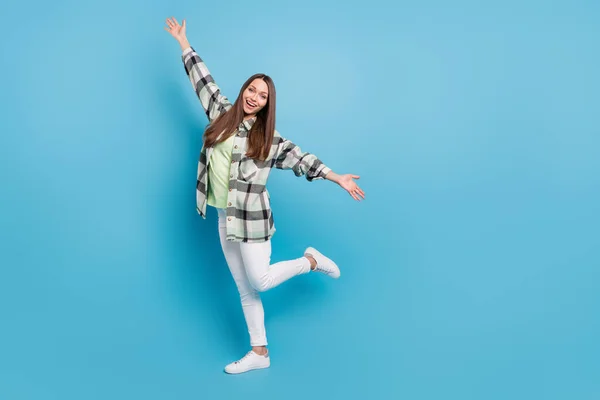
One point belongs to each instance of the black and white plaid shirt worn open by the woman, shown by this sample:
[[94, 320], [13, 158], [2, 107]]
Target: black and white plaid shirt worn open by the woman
[[249, 215]]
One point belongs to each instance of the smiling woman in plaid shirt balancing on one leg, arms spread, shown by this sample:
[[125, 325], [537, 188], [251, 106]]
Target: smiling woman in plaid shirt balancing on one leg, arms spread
[[240, 147]]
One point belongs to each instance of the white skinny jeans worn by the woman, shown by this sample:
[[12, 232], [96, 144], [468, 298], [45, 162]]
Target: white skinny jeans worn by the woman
[[252, 271]]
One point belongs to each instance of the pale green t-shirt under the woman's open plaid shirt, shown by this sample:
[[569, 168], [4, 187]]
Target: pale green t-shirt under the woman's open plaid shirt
[[218, 173]]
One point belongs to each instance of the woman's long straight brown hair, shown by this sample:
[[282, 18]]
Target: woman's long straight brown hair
[[260, 137]]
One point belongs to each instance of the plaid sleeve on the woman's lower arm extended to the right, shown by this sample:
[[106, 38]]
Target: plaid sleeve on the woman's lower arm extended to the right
[[291, 156]]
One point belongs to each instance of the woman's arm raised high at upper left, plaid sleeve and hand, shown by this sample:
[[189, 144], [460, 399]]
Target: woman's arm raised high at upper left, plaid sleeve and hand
[[209, 94]]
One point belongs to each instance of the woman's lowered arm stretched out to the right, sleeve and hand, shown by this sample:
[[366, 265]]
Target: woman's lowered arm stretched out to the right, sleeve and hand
[[291, 156]]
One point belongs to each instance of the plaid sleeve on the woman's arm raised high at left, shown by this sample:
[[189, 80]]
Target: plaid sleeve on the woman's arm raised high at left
[[213, 102]]
